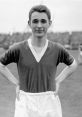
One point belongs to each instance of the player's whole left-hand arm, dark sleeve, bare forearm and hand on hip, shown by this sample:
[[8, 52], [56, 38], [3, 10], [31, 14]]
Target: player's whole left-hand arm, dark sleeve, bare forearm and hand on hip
[[12, 55]]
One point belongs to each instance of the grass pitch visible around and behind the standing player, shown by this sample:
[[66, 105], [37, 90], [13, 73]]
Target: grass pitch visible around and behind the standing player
[[70, 92]]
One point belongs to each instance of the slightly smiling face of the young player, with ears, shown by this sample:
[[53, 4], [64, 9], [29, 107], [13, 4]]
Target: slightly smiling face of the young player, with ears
[[39, 23]]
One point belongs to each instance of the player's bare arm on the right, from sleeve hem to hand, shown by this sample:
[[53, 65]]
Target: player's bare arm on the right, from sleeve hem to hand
[[68, 70]]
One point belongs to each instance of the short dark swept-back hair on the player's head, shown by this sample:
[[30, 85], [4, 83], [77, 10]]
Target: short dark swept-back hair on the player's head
[[41, 9]]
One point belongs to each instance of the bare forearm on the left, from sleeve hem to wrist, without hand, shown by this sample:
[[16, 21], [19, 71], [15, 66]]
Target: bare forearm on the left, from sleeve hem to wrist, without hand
[[7, 74]]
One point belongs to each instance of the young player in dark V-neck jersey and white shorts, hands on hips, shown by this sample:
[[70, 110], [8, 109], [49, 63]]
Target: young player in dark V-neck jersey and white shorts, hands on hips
[[37, 59]]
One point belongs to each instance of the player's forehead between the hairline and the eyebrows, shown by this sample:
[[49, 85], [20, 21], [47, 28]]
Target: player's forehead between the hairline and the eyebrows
[[38, 15]]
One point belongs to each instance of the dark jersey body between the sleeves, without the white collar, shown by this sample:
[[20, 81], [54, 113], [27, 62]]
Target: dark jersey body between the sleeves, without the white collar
[[39, 76]]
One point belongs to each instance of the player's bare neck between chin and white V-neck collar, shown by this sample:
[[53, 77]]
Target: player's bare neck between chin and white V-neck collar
[[38, 42]]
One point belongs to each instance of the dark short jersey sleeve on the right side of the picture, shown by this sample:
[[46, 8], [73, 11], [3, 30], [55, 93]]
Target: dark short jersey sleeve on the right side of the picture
[[64, 56]]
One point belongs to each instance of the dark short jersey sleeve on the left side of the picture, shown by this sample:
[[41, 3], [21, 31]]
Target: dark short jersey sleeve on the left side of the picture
[[11, 55]]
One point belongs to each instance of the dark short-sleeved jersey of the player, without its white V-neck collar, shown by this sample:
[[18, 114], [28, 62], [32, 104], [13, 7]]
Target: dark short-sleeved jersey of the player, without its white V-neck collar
[[36, 76]]
